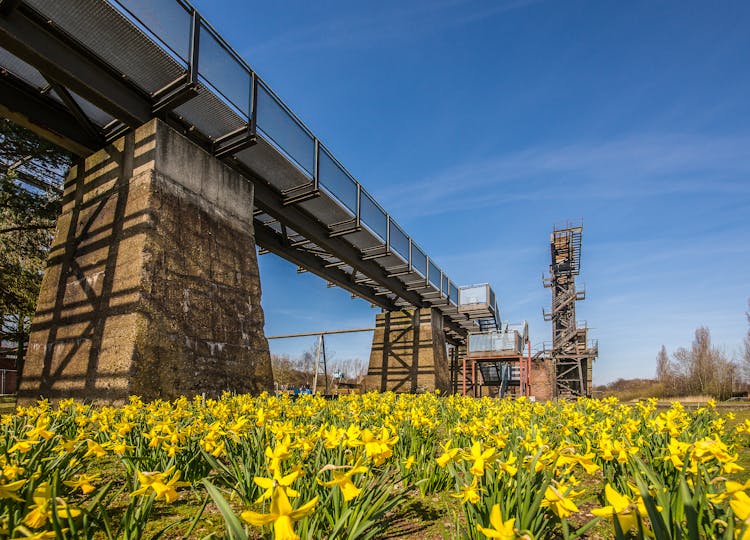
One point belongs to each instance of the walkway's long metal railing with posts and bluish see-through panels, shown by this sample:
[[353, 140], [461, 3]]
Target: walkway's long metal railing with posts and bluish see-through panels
[[209, 61]]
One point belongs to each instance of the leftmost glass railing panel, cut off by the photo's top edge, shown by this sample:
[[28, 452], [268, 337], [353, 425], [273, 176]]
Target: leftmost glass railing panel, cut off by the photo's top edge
[[166, 19]]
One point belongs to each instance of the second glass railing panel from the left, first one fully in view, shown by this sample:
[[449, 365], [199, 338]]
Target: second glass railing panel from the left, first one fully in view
[[219, 67]]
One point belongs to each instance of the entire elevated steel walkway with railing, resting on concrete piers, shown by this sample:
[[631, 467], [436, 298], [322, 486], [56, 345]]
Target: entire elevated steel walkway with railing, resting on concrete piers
[[83, 72]]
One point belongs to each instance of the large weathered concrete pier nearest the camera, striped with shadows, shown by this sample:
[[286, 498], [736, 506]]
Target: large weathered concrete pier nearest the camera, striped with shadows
[[152, 284]]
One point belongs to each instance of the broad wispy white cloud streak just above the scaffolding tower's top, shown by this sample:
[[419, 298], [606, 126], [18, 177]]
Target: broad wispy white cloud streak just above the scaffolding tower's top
[[631, 167]]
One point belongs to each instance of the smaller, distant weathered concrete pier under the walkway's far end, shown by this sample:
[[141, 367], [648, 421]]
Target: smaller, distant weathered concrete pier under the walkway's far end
[[409, 352]]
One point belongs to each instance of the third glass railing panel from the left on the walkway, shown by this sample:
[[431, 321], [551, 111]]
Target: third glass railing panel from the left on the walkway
[[284, 130]]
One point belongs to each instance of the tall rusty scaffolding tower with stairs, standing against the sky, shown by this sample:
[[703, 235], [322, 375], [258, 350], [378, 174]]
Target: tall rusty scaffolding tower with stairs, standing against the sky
[[571, 353]]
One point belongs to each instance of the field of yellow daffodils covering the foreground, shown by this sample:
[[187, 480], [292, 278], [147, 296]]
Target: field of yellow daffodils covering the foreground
[[270, 467]]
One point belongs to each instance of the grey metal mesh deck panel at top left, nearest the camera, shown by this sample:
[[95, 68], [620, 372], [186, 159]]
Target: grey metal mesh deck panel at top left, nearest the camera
[[107, 33]]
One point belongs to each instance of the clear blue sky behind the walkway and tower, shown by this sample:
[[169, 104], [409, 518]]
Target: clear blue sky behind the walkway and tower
[[480, 125]]
